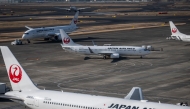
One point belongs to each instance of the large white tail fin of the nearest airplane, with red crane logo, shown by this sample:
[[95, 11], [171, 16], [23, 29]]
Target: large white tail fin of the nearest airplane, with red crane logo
[[18, 78]]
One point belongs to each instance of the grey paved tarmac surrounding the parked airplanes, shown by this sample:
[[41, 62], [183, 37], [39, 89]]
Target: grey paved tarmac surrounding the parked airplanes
[[162, 75]]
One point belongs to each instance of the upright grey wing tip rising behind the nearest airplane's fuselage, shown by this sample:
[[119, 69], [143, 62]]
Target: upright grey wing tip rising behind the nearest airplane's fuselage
[[135, 94]]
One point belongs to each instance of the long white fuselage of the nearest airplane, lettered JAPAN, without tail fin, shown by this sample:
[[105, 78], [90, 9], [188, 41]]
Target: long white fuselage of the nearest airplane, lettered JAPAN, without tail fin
[[44, 99]]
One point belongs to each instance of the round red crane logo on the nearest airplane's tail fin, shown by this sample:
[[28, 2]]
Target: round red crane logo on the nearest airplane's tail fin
[[15, 73]]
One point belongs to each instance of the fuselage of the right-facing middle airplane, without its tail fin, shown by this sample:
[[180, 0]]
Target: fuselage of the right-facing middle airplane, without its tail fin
[[107, 50]]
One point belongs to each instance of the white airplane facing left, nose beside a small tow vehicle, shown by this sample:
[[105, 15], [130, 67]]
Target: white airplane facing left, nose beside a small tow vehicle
[[50, 32]]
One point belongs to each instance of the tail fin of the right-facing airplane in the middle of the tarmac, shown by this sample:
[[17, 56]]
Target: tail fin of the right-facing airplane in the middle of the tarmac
[[67, 41]]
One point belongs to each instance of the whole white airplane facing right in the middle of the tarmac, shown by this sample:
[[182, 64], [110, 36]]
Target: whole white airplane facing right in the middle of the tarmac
[[105, 51]]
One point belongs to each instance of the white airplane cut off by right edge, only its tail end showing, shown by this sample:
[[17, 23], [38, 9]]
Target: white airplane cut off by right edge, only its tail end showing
[[177, 35]]
